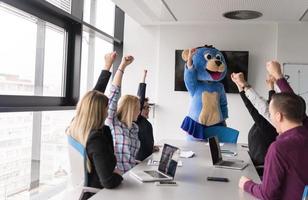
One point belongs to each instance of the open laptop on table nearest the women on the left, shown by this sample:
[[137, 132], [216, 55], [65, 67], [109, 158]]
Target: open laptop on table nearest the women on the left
[[166, 169]]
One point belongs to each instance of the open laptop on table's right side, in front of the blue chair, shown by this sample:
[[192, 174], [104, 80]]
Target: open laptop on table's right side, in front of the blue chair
[[217, 157]]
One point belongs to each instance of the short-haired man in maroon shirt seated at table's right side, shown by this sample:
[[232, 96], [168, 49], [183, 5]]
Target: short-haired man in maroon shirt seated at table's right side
[[286, 163]]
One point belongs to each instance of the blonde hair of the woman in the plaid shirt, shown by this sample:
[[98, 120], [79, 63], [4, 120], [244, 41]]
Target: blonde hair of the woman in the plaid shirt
[[126, 109]]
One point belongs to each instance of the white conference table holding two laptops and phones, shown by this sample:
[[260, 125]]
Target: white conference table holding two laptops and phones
[[191, 177]]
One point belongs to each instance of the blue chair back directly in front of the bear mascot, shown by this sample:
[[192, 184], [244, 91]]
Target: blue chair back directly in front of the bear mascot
[[224, 134]]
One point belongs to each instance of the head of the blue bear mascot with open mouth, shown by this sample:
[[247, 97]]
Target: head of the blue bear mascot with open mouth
[[209, 63]]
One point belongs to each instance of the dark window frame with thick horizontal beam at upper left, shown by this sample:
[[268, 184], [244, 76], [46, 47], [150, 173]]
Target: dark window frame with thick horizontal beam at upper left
[[73, 24]]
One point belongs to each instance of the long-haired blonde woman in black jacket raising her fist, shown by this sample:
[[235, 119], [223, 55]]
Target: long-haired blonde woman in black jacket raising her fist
[[88, 129]]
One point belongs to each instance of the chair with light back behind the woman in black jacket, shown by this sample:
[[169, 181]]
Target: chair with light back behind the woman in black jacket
[[78, 178]]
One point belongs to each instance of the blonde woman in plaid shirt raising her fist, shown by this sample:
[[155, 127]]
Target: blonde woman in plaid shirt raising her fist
[[121, 119]]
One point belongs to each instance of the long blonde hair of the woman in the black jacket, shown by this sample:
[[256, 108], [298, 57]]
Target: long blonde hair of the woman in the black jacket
[[91, 113]]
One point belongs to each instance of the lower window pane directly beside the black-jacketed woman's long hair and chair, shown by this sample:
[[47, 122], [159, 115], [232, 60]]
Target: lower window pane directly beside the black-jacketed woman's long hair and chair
[[54, 165]]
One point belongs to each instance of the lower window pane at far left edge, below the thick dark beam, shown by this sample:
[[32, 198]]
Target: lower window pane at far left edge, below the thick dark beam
[[15, 151]]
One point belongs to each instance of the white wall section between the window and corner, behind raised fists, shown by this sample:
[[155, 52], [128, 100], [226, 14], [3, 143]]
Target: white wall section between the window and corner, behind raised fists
[[142, 43]]
